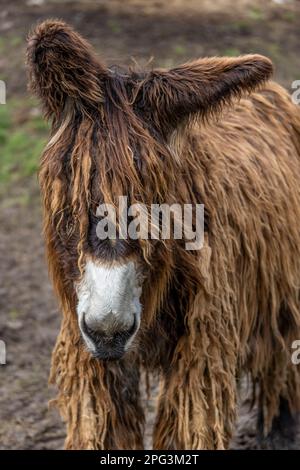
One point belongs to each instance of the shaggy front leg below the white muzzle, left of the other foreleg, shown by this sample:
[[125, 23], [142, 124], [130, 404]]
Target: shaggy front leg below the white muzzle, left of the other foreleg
[[99, 401]]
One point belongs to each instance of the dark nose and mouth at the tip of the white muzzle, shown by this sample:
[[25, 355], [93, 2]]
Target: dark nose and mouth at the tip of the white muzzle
[[109, 346]]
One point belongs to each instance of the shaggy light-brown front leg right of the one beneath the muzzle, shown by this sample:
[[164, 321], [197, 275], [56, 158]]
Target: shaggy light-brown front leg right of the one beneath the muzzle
[[197, 404]]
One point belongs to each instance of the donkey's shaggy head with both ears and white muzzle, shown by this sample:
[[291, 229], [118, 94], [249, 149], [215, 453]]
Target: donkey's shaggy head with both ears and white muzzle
[[113, 135]]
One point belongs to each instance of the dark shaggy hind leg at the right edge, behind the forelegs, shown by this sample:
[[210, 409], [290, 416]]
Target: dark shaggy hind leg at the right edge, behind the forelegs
[[279, 386]]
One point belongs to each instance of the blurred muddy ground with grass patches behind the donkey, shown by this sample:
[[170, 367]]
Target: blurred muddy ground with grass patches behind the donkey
[[167, 32]]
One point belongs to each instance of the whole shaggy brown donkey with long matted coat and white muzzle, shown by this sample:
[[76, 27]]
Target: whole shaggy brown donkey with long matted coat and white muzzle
[[213, 131]]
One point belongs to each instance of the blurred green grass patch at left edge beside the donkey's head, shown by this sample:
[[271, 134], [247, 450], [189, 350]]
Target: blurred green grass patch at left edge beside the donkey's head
[[21, 142]]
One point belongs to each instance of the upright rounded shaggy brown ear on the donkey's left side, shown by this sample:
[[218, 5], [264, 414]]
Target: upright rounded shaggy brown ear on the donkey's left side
[[61, 65]]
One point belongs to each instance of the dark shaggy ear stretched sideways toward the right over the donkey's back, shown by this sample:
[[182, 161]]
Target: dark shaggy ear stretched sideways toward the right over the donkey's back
[[201, 88]]
